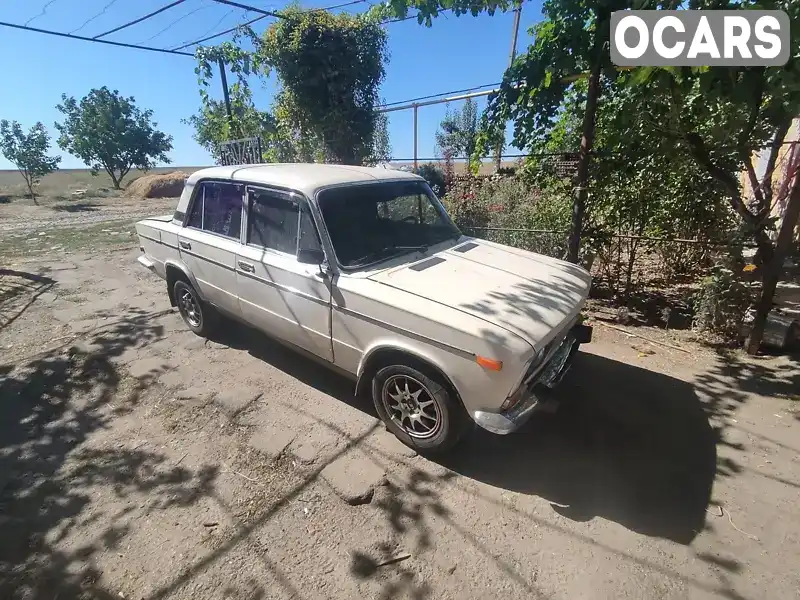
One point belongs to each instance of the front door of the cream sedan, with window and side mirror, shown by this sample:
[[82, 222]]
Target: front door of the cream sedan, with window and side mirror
[[277, 293]]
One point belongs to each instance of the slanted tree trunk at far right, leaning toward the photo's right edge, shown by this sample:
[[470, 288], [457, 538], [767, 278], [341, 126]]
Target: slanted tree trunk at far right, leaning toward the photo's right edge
[[773, 269]]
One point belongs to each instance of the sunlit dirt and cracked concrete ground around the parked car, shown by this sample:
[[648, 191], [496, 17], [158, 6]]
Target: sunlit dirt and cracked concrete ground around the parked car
[[139, 461]]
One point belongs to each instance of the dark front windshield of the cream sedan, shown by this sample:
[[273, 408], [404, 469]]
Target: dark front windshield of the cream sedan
[[371, 223]]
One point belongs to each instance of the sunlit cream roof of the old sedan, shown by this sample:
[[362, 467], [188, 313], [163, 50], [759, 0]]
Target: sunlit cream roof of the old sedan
[[304, 177]]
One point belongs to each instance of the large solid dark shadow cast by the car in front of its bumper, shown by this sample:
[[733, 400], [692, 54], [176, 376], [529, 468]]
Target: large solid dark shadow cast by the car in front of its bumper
[[626, 444]]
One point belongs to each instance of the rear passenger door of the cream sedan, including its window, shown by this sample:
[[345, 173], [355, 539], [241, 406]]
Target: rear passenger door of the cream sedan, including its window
[[210, 239]]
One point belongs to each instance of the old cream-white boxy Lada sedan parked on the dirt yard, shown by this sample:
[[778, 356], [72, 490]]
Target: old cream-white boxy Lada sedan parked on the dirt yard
[[363, 269]]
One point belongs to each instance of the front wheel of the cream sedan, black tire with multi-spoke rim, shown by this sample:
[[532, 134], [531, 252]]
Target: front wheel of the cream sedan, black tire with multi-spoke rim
[[419, 432]]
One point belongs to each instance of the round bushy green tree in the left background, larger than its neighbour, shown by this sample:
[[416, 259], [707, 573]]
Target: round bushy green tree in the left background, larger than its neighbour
[[107, 131]]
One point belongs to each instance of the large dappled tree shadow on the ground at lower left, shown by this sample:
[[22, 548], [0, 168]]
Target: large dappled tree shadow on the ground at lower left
[[50, 405]]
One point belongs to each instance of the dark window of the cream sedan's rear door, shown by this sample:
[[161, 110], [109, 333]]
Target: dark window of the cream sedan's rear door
[[217, 208]]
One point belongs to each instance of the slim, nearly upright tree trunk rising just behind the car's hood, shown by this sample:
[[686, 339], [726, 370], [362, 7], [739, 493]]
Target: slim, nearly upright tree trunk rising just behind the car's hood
[[587, 139]]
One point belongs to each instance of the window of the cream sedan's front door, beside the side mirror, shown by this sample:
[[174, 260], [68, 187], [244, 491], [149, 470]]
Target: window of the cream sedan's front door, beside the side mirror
[[281, 223]]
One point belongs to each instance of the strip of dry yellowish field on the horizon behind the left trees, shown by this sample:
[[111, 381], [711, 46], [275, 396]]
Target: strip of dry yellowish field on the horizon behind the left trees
[[65, 181]]
